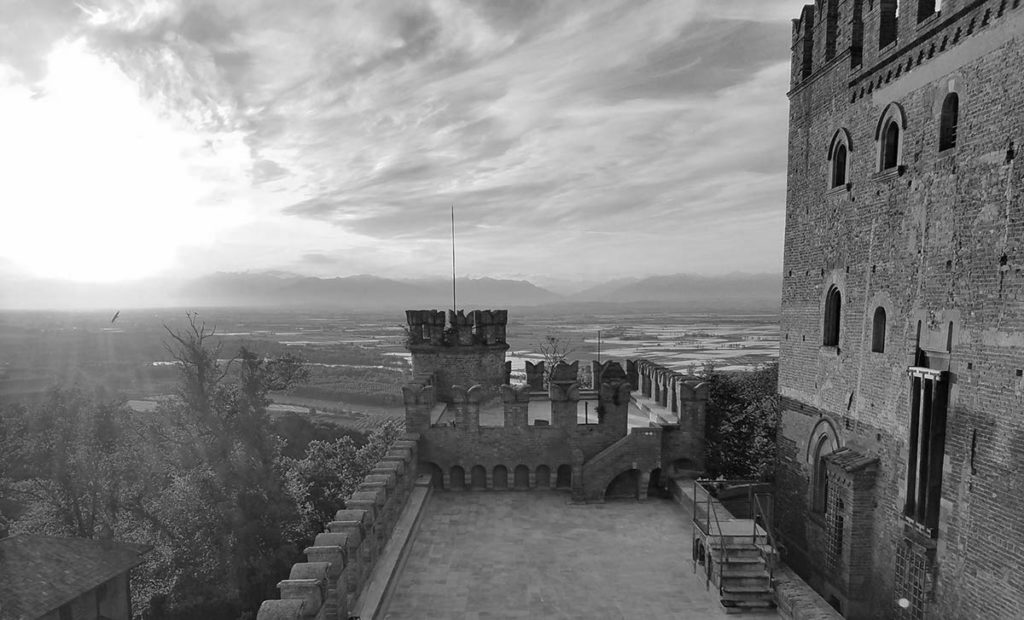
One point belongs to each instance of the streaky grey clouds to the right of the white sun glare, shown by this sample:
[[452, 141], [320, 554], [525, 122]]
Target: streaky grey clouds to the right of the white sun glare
[[594, 128]]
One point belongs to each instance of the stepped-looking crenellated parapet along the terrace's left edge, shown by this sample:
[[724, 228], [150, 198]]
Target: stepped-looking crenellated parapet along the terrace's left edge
[[340, 561]]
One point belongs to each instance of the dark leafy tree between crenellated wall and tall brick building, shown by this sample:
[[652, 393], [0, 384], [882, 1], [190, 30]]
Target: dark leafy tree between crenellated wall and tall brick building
[[743, 420]]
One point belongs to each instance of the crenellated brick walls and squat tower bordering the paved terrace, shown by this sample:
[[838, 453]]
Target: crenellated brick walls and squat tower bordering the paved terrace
[[470, 430]]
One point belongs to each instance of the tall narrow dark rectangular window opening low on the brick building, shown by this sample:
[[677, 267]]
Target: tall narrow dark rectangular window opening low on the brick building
[[928, 439]]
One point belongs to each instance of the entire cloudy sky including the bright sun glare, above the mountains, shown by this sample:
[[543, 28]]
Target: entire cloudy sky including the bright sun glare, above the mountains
[[576, 140]]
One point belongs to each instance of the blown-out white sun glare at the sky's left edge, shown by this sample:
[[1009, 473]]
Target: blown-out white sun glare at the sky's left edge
[[98, 186]]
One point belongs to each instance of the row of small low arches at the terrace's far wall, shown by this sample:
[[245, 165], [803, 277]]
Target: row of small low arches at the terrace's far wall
[[522, 478]]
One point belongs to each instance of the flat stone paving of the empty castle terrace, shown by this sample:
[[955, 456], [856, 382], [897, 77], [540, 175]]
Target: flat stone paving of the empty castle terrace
[[494, 556]]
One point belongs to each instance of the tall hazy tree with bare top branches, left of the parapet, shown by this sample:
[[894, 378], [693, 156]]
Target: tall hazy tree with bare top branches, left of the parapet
[[222, 508]]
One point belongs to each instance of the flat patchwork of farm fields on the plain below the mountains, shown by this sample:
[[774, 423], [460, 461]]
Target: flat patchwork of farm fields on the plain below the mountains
[[358, 362]]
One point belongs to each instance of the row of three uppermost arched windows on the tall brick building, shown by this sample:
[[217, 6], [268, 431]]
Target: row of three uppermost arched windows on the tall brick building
[[889, 138]]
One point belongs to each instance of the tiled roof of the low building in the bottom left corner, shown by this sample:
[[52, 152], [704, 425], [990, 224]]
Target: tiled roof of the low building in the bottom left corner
[[41, 573]]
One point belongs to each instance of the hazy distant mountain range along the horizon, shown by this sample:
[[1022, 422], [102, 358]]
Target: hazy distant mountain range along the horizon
[[735, 292]]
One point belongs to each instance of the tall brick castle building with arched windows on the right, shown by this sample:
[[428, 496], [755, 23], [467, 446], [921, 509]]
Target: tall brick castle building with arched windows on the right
[[901, 487]]
